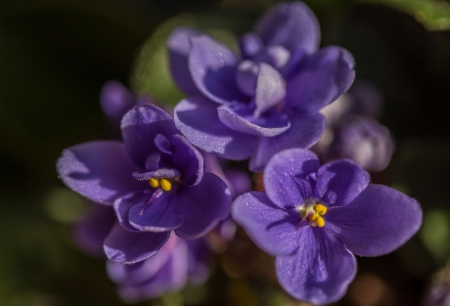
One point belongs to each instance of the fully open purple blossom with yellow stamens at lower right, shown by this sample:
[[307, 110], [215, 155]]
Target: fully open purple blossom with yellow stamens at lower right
[[312, 218]]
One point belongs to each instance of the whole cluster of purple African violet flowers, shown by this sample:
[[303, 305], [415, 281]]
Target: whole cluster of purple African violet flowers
[[163, 184]]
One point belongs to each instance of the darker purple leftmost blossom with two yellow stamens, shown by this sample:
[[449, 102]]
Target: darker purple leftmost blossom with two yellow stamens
[[154, 180]]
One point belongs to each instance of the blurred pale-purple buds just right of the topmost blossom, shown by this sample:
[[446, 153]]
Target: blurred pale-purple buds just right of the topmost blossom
[[352, 132]]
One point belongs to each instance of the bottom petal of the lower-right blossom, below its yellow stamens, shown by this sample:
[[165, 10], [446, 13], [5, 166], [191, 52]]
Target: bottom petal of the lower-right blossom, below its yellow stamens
[[320, 271]]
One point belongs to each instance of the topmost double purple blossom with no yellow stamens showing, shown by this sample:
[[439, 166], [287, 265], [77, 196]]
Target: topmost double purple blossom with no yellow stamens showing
[[265, 99]]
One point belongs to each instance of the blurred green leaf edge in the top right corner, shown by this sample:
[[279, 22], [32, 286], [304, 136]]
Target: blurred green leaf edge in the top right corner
[[433, 14]]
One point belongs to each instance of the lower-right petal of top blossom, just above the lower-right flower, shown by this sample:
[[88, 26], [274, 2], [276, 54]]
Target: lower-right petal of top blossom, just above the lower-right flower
[[304, 132]]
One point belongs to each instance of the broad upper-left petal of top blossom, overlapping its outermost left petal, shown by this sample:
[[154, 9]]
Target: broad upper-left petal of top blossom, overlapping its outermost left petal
[[213, 69]]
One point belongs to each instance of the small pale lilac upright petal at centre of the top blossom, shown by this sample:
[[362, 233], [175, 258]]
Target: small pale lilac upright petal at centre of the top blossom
[[270, 89]]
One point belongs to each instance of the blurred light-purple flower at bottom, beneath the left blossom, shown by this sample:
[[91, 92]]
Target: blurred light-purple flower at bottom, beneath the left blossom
[[178, 262]]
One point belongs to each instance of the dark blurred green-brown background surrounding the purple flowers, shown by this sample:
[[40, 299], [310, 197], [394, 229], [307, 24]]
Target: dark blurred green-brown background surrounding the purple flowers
[[56, 55]]
